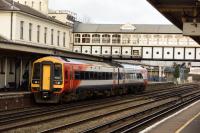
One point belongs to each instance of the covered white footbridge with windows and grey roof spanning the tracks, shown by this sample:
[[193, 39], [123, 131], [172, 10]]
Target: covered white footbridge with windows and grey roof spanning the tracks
[[139, 41]]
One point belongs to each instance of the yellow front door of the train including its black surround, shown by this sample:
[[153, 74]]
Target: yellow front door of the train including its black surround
[[46, 76]]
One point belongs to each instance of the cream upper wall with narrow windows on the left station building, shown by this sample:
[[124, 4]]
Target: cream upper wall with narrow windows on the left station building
[[43, 23]]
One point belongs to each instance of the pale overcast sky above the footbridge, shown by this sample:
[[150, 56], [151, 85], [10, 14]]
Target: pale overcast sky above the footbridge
[[112, 11]]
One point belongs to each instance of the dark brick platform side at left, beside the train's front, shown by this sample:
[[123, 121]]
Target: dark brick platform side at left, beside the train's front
[[15, 100]]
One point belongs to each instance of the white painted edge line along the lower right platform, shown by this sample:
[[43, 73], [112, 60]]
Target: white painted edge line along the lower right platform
[[158, 123]]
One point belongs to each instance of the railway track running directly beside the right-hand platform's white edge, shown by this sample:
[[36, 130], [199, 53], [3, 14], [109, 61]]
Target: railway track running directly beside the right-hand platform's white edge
[[133, 123]]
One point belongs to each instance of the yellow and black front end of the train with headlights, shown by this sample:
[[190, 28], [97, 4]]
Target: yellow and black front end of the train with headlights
[[47, 81]]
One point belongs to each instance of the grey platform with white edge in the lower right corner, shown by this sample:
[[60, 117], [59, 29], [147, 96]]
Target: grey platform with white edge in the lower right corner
[[186, 120]]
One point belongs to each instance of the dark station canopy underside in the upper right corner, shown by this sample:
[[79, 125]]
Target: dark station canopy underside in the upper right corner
[[185, 14]]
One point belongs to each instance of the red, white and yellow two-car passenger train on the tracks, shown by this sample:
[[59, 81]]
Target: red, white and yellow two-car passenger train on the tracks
[[60, 79]]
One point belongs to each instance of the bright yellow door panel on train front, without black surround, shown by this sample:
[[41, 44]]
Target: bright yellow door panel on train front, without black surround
[[46, 77]]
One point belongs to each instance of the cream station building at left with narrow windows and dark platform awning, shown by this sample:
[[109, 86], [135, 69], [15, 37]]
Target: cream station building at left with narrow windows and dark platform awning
[[27, 31]]
